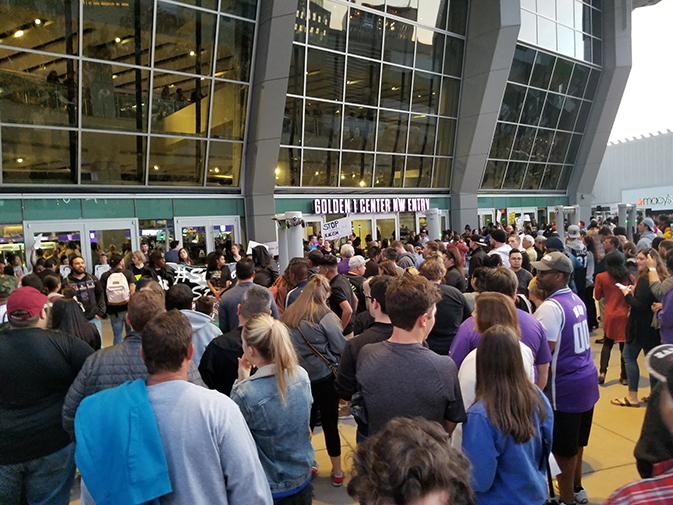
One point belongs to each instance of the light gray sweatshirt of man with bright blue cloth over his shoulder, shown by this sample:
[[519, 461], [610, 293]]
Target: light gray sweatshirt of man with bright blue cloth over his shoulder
[[212, 457]]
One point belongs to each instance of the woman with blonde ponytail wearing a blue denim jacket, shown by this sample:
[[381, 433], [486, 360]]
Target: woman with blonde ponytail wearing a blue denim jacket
[[276, 404]]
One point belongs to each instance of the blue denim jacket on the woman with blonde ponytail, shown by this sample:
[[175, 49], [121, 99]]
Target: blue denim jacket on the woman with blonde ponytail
[[281, 432]]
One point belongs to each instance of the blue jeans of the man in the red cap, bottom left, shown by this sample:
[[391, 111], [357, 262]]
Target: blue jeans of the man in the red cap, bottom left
[[47, 480]]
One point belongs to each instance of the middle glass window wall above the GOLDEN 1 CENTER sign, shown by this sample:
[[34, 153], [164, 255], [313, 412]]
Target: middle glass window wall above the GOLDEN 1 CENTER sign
[[373, 94]]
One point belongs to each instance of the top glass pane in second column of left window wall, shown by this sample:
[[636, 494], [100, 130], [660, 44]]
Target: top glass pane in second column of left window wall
[[118, 31]]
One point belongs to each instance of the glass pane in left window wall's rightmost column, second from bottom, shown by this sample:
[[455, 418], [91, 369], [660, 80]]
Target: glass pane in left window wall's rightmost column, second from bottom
[[230, 103]]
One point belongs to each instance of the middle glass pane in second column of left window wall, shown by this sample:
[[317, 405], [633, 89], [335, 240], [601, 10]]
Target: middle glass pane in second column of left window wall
[[114, 97]]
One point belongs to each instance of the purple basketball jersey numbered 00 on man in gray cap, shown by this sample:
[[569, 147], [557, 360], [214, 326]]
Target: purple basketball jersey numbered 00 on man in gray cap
[[573, 377]]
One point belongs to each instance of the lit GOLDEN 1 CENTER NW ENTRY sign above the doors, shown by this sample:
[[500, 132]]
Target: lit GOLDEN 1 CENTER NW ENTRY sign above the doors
[[369, 205]]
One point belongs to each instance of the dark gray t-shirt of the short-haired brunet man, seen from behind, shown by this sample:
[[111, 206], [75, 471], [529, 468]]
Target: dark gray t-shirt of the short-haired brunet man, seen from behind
[[408, 380]]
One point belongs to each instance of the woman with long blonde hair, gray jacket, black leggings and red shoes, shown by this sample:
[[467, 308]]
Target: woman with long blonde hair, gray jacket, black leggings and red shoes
[[317, 336]]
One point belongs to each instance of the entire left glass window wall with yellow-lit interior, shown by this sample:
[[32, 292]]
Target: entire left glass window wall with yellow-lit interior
[[143, 92]]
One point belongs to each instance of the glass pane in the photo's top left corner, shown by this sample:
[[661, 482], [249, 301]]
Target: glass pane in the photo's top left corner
[[47, 25]]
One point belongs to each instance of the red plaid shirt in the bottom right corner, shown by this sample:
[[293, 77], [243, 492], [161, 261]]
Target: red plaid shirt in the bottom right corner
[[655, 491]]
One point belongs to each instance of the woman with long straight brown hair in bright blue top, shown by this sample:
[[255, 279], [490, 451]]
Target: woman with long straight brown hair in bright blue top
[[508, 433]]
